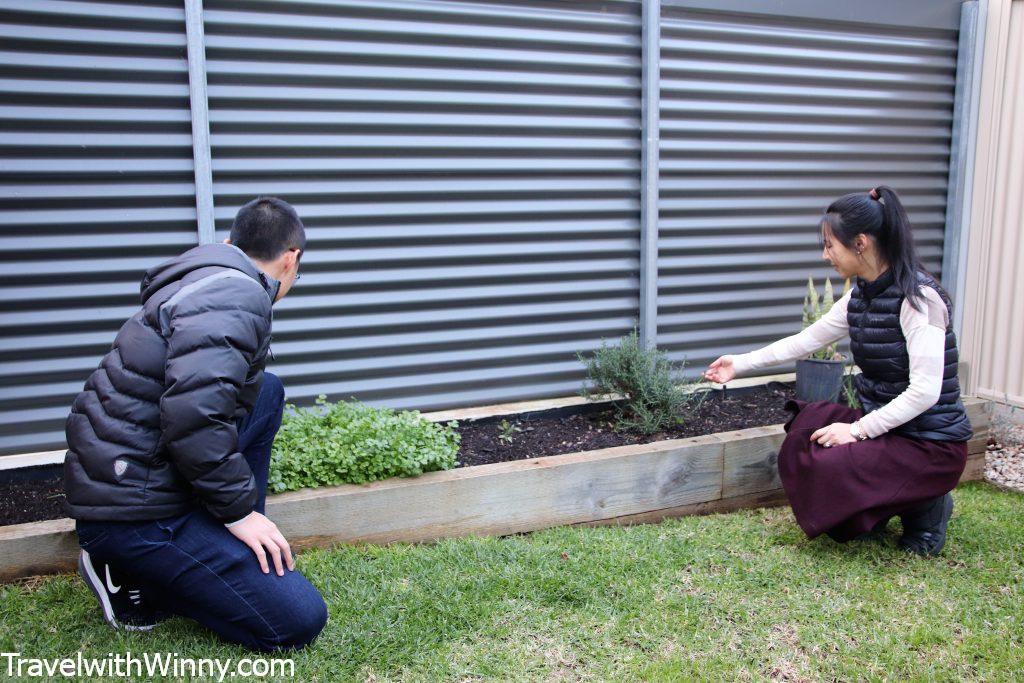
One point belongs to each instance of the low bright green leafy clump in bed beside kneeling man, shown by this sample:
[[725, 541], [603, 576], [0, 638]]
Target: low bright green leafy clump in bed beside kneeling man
[[353, 443]]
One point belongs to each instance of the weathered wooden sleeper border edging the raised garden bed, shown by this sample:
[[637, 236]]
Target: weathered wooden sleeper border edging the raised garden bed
[[626, 485]]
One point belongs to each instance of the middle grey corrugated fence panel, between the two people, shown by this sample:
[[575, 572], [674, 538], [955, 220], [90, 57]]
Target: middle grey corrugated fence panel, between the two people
[[468, 177]]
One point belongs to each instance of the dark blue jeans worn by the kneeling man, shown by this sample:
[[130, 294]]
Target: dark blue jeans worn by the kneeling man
[[192, 566]]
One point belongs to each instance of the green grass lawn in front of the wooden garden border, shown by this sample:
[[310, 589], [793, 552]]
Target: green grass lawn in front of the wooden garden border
[[743, 596]]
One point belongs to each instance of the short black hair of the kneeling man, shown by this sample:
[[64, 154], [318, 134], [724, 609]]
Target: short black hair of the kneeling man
[[267, 228]]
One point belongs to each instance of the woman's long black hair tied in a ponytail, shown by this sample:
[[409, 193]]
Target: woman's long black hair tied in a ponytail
[[881, 216]]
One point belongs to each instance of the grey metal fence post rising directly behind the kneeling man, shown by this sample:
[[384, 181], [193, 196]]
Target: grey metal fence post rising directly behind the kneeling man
[[200, 119]]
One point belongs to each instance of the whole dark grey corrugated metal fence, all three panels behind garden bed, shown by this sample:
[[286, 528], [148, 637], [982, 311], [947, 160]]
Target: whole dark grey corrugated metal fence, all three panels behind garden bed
[[470, 176]]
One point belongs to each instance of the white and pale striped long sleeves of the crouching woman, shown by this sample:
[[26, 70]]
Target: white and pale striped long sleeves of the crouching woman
[[926, 343]]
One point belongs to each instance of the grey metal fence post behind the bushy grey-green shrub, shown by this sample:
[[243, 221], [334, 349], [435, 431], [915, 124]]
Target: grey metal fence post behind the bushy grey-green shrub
[[651, 122]]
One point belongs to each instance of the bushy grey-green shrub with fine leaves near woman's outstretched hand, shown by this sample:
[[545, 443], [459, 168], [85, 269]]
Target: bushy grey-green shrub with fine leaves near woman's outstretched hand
[[656, 396]]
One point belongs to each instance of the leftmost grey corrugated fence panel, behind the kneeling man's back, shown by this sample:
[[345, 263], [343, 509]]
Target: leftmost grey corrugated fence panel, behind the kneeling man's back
[[96, 186]]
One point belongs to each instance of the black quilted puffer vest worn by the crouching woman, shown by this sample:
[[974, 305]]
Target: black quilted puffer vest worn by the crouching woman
[[880, 351]]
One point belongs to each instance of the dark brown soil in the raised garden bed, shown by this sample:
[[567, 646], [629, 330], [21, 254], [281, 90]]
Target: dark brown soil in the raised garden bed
[[38, 495]]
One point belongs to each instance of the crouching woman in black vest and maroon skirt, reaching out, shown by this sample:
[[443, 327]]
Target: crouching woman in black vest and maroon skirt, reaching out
[[847, 473]]
